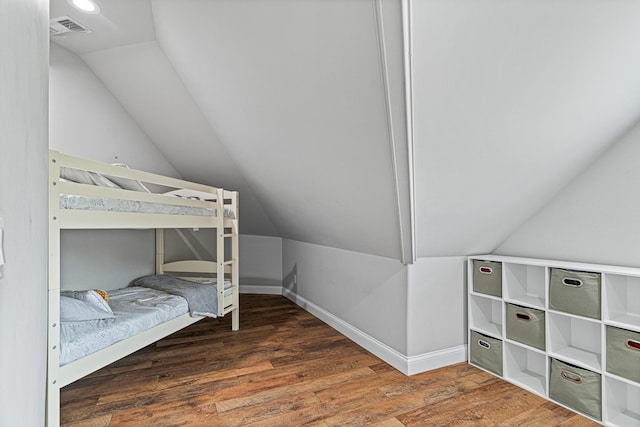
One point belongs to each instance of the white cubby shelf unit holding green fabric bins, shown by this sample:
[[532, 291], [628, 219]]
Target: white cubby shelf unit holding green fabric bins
[[576, 340]]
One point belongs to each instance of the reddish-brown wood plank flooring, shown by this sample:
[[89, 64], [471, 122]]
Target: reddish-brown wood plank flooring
[[287, 368]]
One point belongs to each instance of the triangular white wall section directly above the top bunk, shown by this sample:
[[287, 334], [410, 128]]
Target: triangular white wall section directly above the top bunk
[[87, 121]]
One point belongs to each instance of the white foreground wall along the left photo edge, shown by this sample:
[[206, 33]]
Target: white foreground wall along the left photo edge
[[24, 49]]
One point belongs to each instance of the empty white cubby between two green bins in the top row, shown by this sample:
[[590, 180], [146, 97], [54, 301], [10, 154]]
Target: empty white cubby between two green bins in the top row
[[525, 284]]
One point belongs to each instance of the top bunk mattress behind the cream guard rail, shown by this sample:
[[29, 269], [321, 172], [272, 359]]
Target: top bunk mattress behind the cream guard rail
[[72, 201]]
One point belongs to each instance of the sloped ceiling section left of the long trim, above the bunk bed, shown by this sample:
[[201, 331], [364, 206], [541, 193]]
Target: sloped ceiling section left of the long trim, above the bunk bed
[[283, 100]]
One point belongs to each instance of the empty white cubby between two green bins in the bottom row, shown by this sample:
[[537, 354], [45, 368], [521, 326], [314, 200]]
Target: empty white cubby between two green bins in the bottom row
[[526, 368]]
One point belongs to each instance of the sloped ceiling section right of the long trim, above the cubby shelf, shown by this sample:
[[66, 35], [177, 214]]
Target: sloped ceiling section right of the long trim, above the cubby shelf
[[512, 100]]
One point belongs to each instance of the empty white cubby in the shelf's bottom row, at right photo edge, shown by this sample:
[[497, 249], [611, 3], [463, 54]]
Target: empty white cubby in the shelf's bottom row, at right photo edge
[[623, 403]]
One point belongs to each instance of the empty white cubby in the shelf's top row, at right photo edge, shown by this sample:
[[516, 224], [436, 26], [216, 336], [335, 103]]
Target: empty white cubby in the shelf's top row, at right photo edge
[[622, 296]]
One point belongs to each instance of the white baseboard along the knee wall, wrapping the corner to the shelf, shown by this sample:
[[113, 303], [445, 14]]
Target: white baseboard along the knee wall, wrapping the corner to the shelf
[[407, 365]]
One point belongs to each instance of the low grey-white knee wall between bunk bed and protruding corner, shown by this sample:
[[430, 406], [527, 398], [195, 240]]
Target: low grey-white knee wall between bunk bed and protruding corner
[[364, 291]]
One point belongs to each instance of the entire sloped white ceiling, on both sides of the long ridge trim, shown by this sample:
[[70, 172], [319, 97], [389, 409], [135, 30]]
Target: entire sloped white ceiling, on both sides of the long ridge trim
[[300, 105]]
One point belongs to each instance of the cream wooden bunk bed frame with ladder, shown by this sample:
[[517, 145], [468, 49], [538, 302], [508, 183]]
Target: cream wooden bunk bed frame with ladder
[[74, 205]]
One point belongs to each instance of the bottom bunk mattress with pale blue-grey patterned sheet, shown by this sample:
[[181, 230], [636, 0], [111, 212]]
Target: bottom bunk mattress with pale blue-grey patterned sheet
[[136, 309]]
